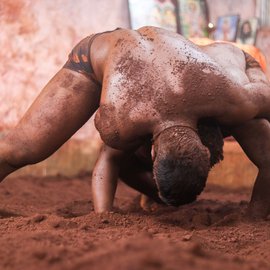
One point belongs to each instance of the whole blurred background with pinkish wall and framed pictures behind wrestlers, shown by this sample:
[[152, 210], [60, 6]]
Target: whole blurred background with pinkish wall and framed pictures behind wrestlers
[[37, 36]]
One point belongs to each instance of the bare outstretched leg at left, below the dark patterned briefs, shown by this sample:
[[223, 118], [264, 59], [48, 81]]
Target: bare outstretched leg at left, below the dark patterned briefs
[[62, 107]]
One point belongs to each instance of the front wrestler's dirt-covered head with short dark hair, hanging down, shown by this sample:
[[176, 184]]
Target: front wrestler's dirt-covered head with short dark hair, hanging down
[[181, 165]]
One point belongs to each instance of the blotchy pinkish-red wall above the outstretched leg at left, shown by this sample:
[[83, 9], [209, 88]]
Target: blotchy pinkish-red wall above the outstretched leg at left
[[36, 37]]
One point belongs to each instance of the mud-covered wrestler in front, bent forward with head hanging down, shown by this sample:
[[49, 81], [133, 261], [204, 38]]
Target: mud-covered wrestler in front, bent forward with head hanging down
[[151, 82]]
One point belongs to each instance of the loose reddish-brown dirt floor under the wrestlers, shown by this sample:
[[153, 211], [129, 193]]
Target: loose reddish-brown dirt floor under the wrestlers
[[50, 224]]
